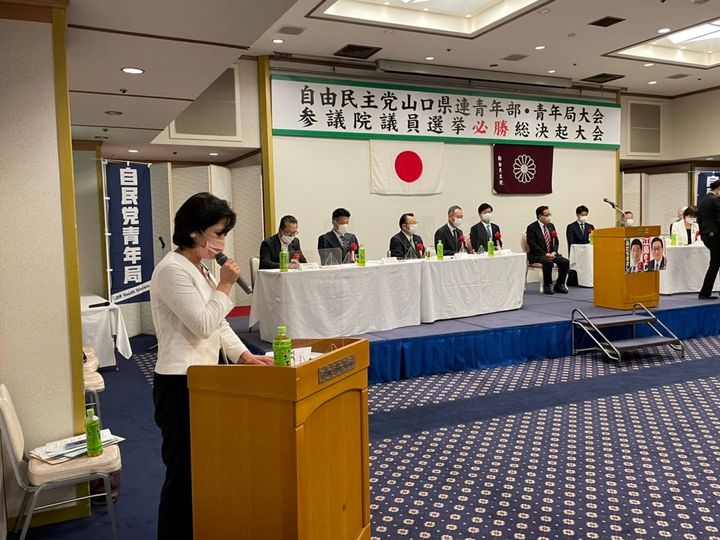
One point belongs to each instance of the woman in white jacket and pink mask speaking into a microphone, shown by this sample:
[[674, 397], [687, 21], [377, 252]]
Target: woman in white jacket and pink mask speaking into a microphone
[[188, 310]]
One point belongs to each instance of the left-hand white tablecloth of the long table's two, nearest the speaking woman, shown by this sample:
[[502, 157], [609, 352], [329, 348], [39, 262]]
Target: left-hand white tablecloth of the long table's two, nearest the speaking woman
[[341, 300]]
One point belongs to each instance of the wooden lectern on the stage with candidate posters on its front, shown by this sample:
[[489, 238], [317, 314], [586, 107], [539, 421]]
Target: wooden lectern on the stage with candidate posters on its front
[[612, 286]]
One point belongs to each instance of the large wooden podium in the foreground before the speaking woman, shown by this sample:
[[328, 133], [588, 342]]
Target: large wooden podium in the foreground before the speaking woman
[[281, 453]]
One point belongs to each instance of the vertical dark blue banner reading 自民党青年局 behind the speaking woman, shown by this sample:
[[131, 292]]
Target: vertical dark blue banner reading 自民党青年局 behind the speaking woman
[[130, 227]]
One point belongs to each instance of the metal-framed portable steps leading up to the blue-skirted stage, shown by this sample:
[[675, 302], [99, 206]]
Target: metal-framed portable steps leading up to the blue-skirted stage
[[592, 328]]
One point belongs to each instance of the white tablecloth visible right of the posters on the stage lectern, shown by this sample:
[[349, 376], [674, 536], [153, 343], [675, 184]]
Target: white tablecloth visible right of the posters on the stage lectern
[[685, 271]]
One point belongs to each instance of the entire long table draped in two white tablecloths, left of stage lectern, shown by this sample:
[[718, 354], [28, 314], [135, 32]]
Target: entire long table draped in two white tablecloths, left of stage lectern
[[350, 300]]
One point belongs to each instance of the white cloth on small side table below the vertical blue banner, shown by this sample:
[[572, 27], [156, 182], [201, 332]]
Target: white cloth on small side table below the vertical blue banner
[[100, 324]]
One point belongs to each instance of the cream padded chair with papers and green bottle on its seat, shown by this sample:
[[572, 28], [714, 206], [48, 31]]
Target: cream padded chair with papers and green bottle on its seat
[[34, 476]]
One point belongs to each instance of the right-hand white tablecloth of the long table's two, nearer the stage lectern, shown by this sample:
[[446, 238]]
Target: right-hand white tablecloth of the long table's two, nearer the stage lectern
[[472, 286]]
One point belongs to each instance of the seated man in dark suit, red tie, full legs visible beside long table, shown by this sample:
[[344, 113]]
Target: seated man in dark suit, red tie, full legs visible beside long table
[[543, 243]]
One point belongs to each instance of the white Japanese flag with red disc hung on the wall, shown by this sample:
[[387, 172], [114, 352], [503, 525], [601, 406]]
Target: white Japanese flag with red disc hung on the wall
[[406, 167]]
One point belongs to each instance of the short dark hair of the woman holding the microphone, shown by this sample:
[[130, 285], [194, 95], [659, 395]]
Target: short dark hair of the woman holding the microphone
[[199, 212]]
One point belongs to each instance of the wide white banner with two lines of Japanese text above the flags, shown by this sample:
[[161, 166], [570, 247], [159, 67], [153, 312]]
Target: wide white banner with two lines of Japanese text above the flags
[[311, 107]]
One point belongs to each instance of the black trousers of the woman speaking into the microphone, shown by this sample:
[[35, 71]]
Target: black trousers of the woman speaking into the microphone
[[172, 415]]
